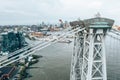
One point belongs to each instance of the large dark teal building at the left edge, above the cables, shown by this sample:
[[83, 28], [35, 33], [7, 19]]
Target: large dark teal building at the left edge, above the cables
[[11, 41]]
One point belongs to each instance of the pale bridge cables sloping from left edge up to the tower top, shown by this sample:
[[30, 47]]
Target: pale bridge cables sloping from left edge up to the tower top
[[31, 49]]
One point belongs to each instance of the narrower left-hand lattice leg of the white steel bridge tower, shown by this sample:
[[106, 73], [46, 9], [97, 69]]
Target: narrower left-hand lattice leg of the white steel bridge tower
[[77, 57]]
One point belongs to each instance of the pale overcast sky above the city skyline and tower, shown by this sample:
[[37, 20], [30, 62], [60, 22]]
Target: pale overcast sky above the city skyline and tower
[[49, 11]]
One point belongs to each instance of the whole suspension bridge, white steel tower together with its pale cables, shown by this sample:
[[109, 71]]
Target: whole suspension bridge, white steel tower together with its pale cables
[[89, 56]]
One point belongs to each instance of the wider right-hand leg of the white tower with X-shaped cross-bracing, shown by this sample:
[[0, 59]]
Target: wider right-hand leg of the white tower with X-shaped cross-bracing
[[94, 59]]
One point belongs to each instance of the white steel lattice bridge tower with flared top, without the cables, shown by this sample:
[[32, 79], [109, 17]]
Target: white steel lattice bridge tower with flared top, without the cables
[[89, 58]]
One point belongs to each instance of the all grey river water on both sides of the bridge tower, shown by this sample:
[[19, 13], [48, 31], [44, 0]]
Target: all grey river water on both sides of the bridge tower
[[56, 61]]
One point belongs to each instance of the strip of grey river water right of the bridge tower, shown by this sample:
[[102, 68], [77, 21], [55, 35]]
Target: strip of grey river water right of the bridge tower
[[113, 57]]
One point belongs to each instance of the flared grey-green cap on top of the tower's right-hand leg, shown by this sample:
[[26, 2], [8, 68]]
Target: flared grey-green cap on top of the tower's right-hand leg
[[98, 23]]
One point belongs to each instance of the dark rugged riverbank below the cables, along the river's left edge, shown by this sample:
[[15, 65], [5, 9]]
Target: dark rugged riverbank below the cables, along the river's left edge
[[24, 65]]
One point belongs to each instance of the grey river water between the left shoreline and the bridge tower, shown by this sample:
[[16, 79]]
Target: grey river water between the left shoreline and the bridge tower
[[55, 63]]
